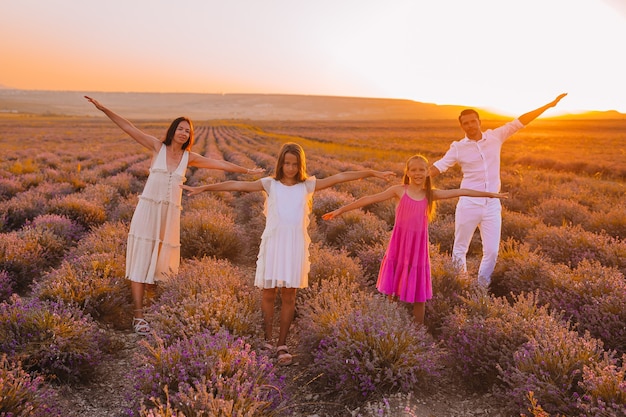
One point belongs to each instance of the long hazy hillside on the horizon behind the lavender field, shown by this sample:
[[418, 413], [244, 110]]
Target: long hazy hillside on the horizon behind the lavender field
[[231, 106]]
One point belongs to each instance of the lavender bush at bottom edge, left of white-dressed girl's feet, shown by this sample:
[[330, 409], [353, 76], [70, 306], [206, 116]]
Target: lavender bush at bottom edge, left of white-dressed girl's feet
[[207, 367]]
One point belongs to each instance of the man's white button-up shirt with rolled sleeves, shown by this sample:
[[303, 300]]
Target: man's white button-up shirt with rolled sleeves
[[479, 160]]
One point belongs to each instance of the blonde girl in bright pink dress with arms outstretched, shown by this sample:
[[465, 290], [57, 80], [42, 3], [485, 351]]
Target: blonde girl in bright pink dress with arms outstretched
[[405, 268]]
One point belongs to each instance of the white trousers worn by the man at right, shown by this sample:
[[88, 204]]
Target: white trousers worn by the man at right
[[488, 218]]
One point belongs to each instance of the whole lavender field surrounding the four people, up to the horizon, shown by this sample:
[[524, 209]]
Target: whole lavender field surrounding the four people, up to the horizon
[[548, 339]]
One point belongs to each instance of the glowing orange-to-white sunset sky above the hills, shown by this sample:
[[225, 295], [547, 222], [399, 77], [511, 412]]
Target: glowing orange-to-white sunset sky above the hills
[[506, 55]]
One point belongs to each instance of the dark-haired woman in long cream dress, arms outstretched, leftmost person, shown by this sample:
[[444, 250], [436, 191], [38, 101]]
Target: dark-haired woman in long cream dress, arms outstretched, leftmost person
[[153, 247]]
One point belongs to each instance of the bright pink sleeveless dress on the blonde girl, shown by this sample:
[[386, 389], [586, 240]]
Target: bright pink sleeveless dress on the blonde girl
[[405, 269]]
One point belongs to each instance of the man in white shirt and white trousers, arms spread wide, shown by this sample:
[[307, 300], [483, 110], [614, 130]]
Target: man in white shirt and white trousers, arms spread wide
[[478, 155]]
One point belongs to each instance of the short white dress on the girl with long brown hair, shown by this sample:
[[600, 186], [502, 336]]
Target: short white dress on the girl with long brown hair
[[283, 259]]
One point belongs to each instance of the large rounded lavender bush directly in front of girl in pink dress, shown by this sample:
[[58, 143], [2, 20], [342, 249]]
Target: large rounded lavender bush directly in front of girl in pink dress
[[376, 349]]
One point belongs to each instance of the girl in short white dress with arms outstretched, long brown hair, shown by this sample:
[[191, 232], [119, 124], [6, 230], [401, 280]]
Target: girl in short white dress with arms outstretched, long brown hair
[[283, 260]]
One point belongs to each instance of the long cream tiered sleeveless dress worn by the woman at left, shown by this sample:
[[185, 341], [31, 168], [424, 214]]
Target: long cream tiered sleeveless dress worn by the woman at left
[[153, 246]]
